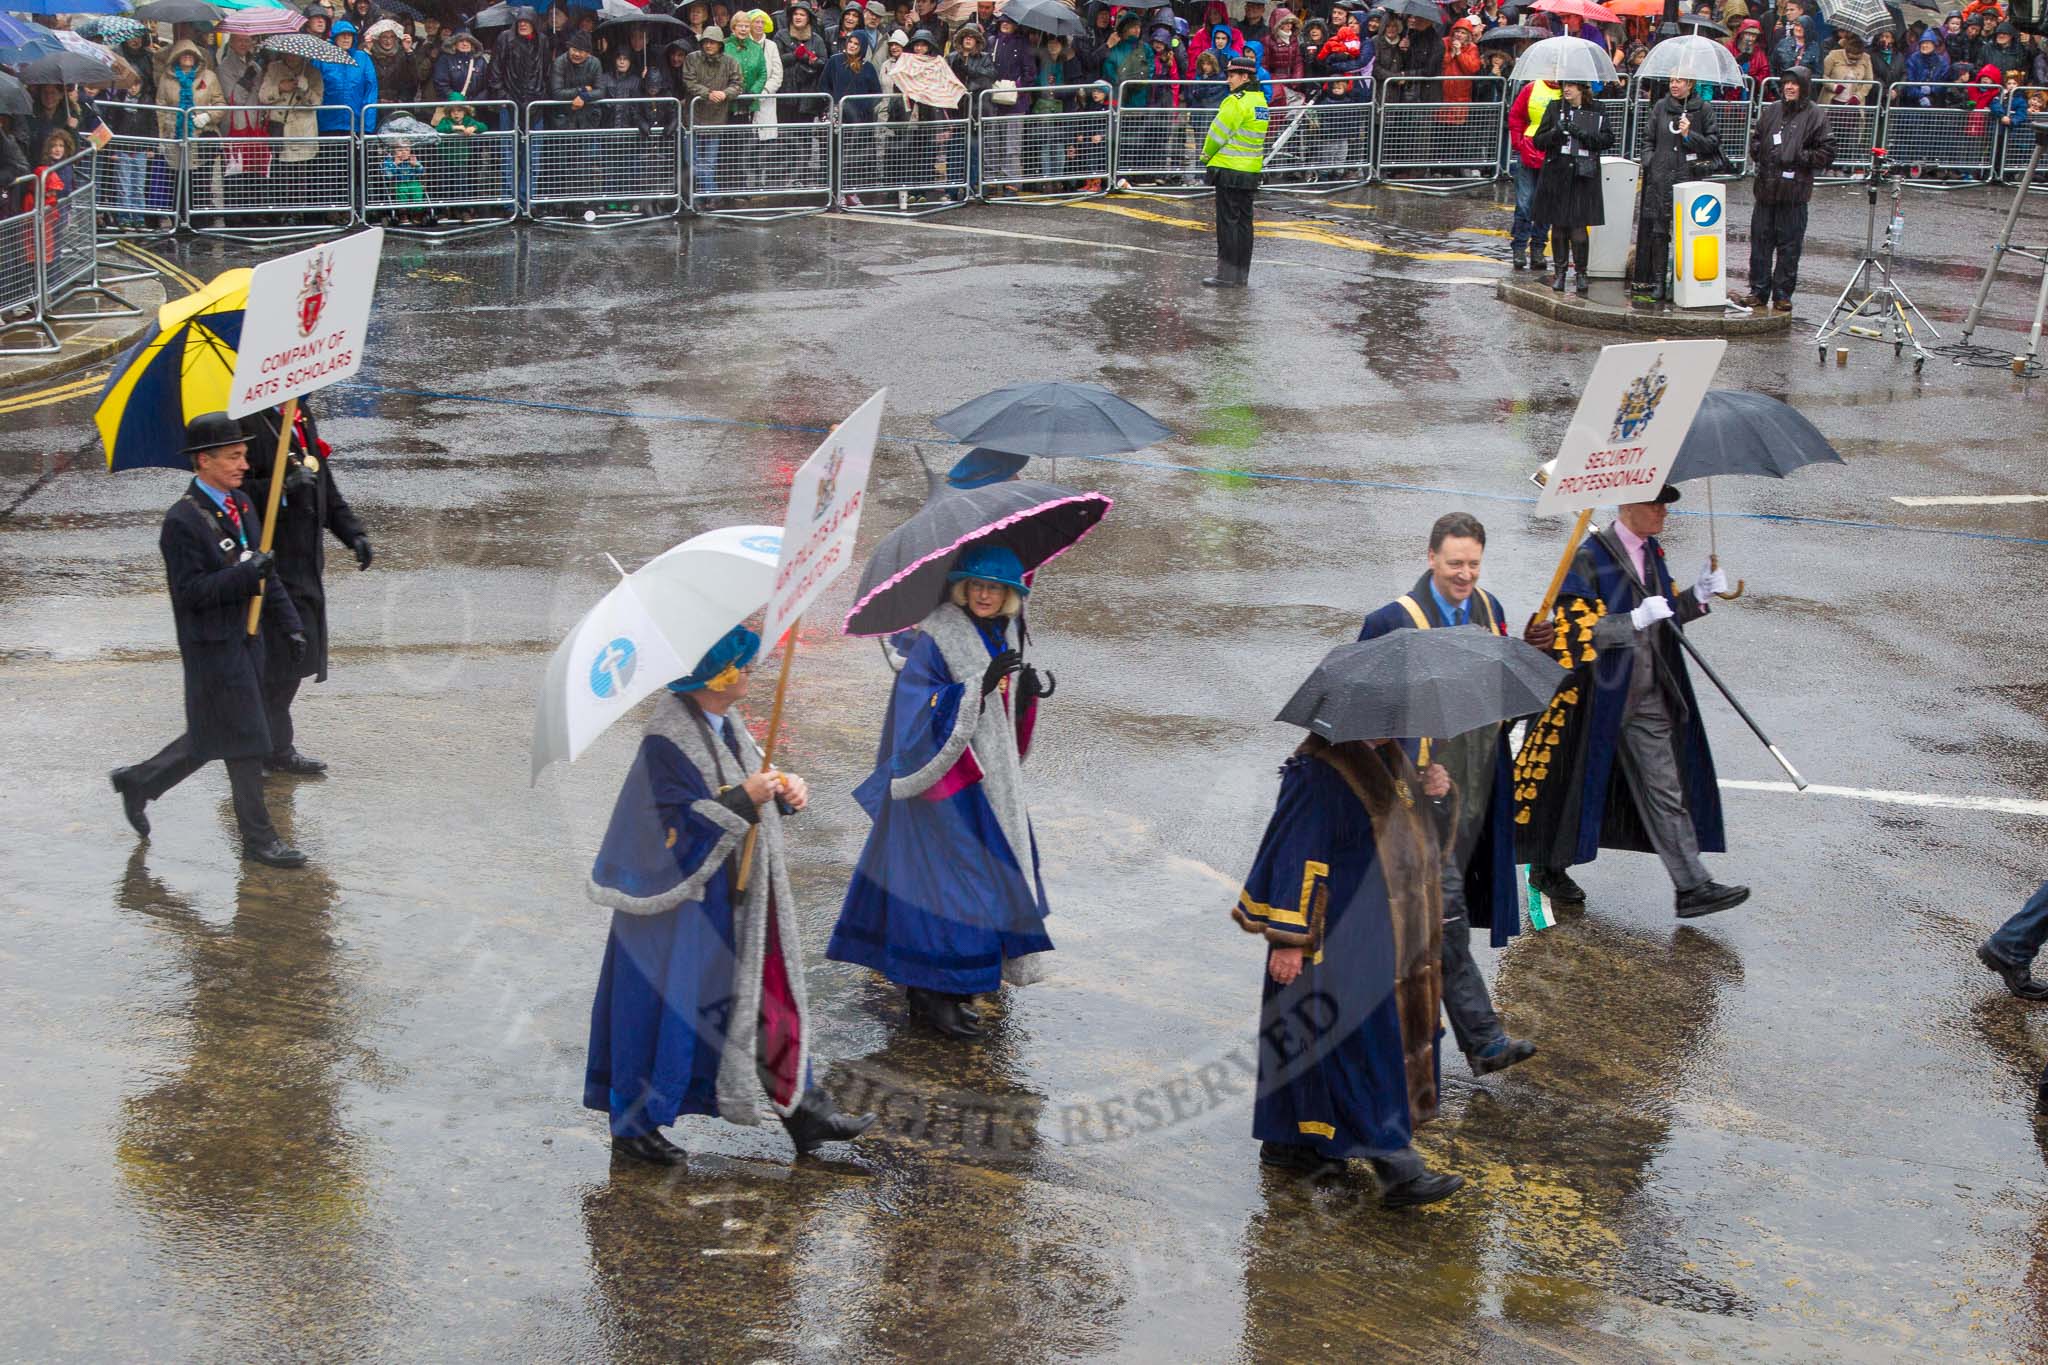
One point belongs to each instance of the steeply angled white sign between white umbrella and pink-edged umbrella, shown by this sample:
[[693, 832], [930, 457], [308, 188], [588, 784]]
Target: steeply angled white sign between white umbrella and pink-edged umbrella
[[824, 517]]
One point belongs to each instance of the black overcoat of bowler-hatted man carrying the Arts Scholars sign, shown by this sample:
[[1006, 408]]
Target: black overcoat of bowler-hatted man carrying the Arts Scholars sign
[[210, 599]]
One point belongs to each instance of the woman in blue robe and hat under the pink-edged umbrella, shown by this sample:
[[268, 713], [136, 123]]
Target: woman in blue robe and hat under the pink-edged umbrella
[[947, 899]]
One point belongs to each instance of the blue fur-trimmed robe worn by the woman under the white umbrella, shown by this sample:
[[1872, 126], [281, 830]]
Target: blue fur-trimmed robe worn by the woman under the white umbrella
[[677, 973]]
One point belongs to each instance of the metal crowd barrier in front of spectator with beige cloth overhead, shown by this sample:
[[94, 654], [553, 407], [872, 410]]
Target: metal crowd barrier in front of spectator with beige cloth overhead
[[902, 159]]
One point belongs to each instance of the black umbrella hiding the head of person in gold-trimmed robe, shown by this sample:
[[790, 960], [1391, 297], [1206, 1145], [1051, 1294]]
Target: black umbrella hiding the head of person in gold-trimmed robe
[[1420, 685]]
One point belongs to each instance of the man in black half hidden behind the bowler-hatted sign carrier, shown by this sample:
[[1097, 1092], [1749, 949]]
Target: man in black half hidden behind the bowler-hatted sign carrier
[[310, 511]]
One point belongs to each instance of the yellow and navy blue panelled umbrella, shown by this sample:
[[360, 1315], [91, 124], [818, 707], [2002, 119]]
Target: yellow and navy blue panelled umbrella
[[181, 369]]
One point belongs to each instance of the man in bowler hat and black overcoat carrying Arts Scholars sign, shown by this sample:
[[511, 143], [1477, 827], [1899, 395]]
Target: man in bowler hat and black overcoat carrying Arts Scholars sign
[[214, 570]]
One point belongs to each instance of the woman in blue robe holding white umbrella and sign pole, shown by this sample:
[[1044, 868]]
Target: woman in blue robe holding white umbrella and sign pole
[[701, 1002]]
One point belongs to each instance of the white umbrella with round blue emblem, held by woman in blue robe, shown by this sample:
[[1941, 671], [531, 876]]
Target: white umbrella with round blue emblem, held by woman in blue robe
[[648, 631]]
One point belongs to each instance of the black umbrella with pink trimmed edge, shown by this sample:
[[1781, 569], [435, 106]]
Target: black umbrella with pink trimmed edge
[[906, 574]]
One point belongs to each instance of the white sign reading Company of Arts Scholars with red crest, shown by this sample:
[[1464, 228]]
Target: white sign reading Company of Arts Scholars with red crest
[[306, 322]]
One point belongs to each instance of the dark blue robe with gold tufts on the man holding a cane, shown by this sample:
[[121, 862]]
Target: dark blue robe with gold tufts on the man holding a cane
[[1572, 795]]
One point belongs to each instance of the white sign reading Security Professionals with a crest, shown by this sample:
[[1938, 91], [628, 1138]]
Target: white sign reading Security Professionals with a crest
[[1631, 421]]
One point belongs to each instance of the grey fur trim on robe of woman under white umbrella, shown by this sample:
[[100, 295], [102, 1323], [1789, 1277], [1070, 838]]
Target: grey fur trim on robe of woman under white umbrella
[[740, 1086]]
